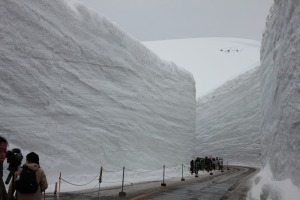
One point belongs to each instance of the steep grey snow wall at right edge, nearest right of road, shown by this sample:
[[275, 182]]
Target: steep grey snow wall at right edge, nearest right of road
[[280, 83]]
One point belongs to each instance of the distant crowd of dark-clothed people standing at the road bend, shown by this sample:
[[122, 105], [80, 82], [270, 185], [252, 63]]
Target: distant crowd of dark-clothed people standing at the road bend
[[206, 164]]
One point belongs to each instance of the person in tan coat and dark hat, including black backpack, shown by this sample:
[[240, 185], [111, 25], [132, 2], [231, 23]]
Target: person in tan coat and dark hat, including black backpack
[[30, 180]]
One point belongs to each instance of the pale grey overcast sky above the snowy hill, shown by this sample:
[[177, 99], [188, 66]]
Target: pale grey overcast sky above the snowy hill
[[148, 20]]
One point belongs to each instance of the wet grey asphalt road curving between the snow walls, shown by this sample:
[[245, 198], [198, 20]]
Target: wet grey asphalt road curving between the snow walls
[[231, 184]]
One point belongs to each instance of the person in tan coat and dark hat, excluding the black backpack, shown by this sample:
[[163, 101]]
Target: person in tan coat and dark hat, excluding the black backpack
[[32, 162]]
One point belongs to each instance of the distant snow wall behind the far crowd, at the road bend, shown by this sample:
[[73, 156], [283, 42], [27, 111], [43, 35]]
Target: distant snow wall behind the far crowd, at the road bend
[[228, 121]]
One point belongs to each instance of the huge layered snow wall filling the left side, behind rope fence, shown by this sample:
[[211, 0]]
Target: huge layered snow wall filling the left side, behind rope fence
[[83, 94]]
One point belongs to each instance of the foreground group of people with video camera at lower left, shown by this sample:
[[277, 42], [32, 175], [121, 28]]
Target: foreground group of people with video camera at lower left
[[32, 171]]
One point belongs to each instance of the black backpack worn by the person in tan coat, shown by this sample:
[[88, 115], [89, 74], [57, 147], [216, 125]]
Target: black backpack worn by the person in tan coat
[[27, 182]]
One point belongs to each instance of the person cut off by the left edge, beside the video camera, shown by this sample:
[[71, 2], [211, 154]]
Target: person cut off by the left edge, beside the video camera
[[3, 149]]
